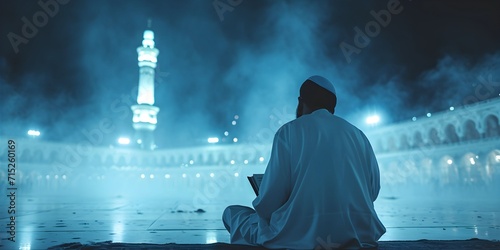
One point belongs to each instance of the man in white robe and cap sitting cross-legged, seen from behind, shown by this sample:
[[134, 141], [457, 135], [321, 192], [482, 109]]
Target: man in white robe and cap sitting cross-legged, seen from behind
[[319, 186]]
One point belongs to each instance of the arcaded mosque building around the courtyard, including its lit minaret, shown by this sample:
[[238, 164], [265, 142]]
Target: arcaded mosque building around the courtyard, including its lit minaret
[[460, 146]]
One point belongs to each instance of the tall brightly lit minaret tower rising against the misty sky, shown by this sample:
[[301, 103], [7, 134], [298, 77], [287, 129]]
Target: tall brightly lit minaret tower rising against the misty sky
[[144, 117]]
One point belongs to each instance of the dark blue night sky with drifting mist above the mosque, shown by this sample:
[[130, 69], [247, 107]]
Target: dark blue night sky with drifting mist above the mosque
[[246, 58]]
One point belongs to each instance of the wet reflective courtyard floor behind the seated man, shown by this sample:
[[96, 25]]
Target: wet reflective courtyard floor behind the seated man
[[154, 212]]
